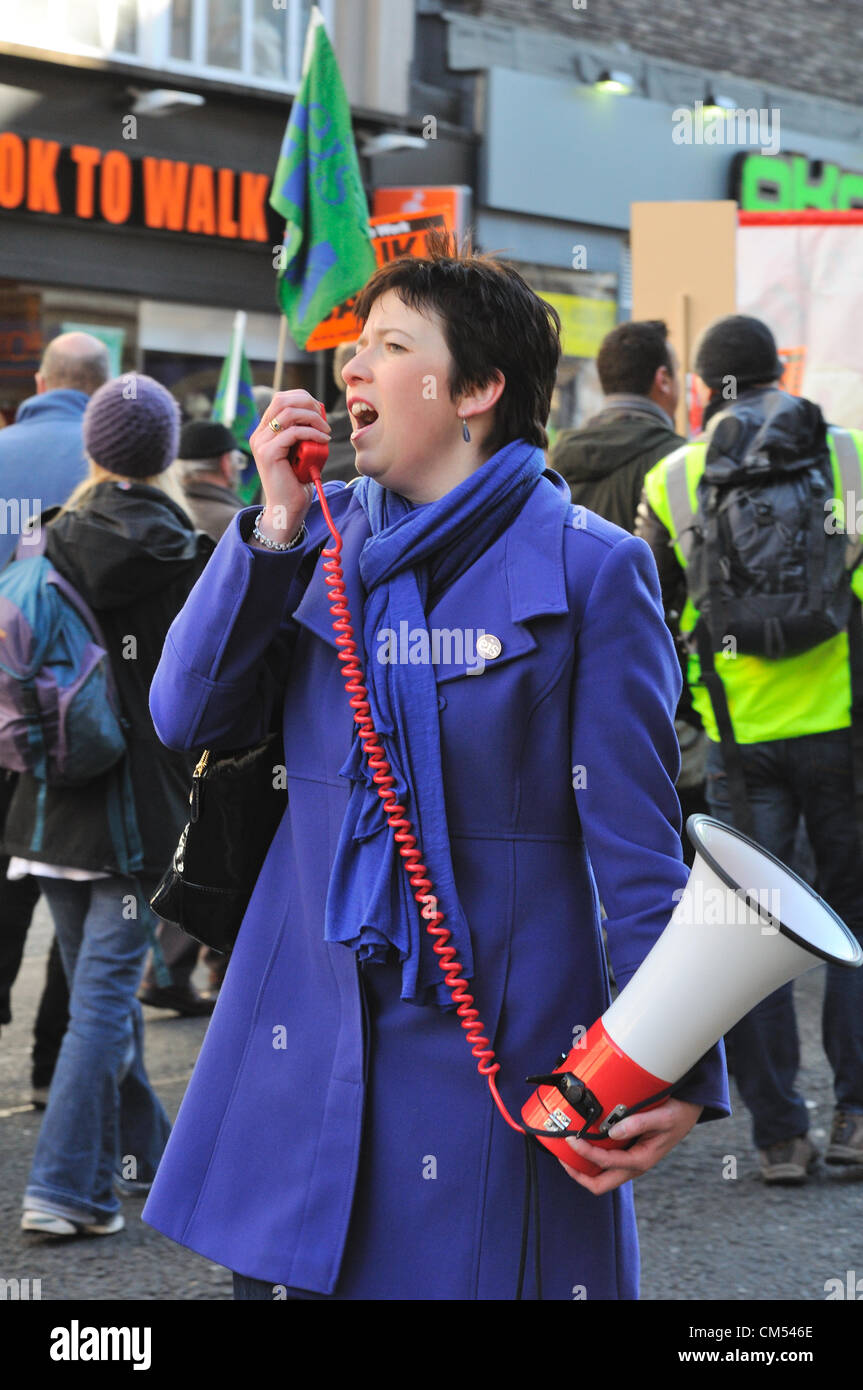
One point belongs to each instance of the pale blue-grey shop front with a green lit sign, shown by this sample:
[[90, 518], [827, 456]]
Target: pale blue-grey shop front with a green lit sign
[[562, 163]]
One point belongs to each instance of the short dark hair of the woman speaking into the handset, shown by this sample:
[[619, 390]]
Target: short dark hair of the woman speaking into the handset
[[493, 322]]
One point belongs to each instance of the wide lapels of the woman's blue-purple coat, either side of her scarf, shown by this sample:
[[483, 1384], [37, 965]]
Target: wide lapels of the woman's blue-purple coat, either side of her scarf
[[519, 579]]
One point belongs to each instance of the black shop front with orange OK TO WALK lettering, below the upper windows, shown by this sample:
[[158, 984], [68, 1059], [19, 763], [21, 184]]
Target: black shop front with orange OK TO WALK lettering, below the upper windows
[[147, 233]]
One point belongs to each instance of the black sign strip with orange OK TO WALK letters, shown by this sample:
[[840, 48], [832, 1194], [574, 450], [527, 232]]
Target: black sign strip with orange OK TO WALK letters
[[110, 187]]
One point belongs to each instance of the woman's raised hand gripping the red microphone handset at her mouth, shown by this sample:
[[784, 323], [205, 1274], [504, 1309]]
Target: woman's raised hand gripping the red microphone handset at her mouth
[[290, 447]]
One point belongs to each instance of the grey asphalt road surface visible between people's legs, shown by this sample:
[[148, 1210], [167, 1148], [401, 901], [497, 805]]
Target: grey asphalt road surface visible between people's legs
[[709, 1228]]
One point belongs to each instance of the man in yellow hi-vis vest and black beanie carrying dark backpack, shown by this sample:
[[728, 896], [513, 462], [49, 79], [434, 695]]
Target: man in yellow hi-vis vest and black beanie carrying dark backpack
[[751, 522]]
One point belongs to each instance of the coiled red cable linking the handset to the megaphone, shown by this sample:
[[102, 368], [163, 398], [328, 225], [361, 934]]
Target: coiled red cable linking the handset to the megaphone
[[412, 860]]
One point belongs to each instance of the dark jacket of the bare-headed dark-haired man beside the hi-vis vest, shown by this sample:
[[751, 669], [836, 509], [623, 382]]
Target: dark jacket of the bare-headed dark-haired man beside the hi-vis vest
[[605, 462]]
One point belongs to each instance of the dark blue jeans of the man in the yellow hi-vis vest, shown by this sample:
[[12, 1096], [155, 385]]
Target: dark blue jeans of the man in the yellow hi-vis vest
[[787, 778]]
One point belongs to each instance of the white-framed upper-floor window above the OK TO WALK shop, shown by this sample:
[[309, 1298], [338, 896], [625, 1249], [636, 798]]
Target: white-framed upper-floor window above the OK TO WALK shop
[[249, 41]]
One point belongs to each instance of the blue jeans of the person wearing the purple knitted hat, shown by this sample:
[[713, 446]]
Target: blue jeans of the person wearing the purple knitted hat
[[104, 1117]]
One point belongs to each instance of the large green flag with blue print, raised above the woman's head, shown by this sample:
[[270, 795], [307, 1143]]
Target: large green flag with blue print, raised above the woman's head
[[327, 254]]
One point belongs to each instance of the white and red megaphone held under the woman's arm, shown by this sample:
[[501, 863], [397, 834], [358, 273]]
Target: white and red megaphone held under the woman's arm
[[744, 926]]
